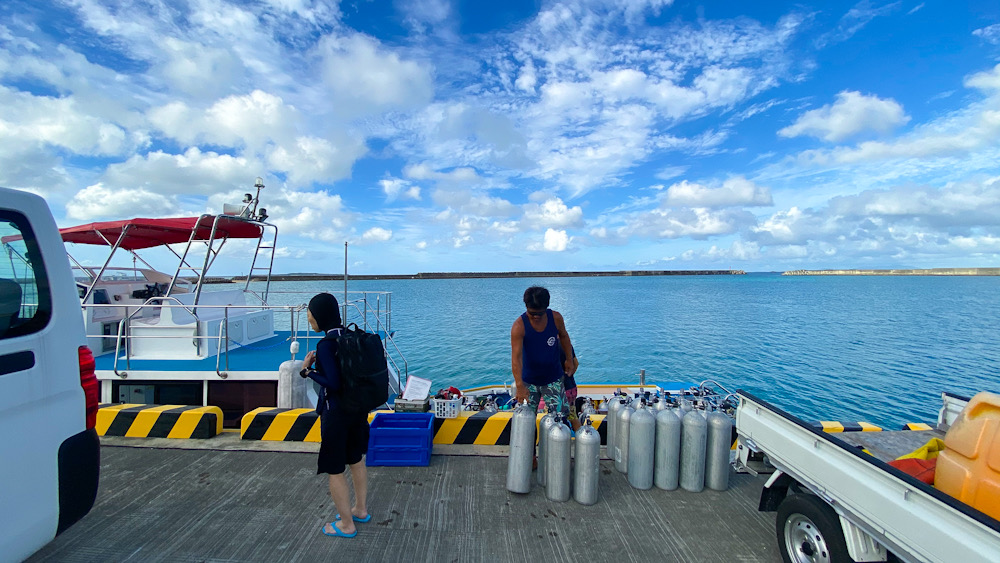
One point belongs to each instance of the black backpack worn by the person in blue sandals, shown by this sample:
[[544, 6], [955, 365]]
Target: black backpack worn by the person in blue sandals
[[364, 374]]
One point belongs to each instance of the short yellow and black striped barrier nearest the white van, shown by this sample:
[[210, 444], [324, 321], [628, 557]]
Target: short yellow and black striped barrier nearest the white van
[[158, 421]]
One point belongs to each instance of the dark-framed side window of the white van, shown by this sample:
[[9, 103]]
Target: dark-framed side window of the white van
[[25, 301]]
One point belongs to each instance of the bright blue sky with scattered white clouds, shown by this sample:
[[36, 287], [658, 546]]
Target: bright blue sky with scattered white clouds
[[498, 136]]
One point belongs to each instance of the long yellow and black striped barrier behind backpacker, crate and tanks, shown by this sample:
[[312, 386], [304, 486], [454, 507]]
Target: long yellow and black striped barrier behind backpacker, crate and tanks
[[469, 427]]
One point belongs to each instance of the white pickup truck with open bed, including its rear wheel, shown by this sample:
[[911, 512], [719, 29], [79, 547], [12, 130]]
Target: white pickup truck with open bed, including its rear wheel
[[837, 503]]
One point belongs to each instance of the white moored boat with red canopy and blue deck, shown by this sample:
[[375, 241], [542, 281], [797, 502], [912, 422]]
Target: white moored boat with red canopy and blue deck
[[181, 338]]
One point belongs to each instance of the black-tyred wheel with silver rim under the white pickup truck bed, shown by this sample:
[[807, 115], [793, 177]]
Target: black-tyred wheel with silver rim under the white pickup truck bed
[[809, 531]]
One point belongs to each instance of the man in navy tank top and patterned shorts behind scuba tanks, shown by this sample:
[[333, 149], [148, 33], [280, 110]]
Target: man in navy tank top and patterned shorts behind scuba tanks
[[536, 340]]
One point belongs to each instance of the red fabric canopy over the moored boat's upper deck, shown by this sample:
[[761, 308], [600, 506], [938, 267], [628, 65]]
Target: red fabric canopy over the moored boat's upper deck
[[147, 233]]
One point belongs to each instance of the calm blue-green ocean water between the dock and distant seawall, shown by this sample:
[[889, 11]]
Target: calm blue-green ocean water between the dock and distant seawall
[[851, 348]]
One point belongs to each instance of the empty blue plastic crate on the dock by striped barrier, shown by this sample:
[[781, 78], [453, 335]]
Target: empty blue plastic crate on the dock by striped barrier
[[401, 439]]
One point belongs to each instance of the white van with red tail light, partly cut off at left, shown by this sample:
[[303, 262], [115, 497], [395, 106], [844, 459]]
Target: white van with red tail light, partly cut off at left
[[48, 392]]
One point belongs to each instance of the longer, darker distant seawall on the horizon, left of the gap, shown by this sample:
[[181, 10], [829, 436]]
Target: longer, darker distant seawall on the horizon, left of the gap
[[462, 275]]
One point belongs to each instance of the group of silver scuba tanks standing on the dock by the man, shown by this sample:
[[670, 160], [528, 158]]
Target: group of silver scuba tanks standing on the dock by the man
[[667, 442]]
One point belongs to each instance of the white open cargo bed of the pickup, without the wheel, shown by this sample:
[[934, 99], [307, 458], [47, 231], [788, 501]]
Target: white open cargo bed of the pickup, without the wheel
[[910, 519]]
